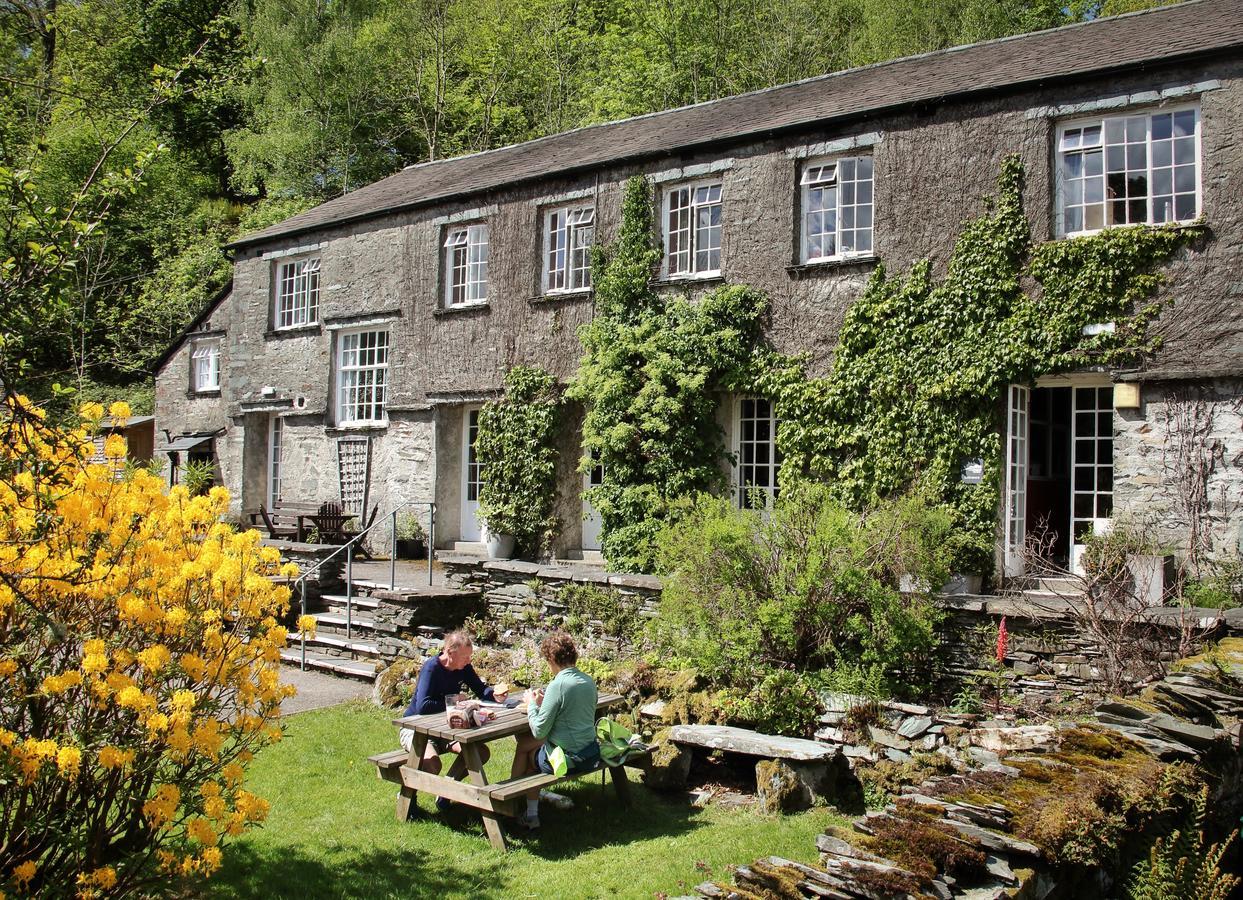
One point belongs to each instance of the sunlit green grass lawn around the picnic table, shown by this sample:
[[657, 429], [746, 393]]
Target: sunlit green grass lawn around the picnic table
[[333, 832]]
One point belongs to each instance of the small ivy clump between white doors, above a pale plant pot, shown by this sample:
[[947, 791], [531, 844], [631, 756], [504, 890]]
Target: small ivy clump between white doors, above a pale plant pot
[[518, 458]]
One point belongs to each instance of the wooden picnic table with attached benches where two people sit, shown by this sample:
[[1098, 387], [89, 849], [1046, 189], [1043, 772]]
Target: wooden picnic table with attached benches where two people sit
[[492, 800]]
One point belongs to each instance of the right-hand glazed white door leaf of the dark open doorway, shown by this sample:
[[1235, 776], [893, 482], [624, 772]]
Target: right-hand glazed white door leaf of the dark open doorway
[[1092, 485]]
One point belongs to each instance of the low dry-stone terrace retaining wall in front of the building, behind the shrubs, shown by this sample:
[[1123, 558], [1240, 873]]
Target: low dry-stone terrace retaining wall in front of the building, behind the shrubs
[[1047, 647]]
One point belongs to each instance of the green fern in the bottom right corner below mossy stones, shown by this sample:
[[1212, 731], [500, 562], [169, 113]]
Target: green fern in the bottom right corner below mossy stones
[[1180, 867]]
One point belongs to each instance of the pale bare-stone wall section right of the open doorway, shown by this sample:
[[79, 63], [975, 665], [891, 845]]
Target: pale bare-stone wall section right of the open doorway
[[1178, 466]]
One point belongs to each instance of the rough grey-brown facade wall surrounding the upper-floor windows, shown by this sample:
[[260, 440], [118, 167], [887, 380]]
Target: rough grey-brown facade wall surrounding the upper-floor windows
[[933, 166]]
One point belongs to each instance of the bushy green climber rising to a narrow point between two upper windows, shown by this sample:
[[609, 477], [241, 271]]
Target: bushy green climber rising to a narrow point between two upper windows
[[653, 367]]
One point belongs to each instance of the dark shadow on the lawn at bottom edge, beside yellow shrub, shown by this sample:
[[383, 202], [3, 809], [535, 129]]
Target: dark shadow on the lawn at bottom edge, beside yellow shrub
[[288, 872]]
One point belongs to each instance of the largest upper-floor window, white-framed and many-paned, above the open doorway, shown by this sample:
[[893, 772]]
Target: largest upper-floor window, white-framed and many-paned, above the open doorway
[[1142, 168]]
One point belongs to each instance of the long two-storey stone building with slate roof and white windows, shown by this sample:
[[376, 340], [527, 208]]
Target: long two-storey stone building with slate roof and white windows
[[360, 339]]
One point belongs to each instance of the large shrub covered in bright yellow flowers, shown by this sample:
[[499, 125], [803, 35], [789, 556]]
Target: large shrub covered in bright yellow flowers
[[140, 641]]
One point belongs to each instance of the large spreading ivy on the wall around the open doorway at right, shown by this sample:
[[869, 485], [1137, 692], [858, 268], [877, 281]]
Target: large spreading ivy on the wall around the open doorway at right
[[923, 366]]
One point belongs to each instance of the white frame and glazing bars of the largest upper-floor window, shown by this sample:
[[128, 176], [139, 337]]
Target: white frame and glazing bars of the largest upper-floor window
[[1081, 137]]
